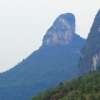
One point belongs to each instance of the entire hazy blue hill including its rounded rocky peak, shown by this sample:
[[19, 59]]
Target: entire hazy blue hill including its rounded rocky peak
[[55, 61]]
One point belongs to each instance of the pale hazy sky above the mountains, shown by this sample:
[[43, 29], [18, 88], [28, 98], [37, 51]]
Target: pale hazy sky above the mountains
[[23, 24]]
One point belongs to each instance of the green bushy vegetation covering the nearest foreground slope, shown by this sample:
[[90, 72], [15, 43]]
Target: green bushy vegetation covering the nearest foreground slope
[[86, 87]]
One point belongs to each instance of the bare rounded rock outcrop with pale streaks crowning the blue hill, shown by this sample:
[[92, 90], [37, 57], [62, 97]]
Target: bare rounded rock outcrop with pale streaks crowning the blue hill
[[62, 30]]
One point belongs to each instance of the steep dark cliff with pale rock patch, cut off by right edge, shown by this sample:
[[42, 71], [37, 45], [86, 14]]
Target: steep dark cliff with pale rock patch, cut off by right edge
[[90, 53]]
